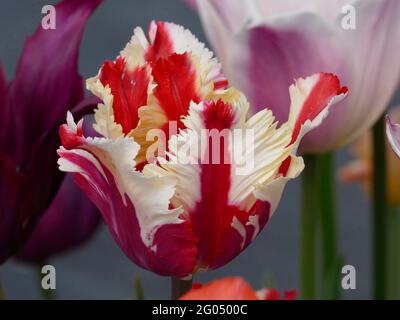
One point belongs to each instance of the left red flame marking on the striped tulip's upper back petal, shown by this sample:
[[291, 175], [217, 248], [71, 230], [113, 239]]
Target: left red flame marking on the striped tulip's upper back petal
[[129, 90]]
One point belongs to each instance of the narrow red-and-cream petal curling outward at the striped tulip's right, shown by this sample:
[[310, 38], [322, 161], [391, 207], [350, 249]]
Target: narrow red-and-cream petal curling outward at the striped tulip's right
[[311, 101]]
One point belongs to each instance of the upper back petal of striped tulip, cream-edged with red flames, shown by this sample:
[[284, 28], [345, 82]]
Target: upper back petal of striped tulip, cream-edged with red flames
[[152, 82]]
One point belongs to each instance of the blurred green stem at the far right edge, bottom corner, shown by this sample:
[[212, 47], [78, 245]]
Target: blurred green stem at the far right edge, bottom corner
[[393, 256]]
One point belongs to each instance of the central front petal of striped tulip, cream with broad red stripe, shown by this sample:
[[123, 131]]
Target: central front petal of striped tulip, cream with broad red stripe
[[215, 188]]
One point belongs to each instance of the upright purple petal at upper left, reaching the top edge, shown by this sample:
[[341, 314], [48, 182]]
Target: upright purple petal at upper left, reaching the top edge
[[47, 83]]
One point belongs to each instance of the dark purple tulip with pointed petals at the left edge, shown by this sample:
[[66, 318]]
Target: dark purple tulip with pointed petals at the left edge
[[32, 107]]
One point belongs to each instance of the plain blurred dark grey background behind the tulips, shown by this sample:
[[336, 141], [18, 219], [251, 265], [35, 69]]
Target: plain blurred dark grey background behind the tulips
[[99, 270]]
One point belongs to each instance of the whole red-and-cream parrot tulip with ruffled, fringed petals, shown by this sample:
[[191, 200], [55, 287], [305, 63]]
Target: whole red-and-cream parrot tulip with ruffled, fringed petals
[[179, 212]]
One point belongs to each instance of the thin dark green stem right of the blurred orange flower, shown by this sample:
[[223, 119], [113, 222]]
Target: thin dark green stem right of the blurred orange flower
[[380, 210]]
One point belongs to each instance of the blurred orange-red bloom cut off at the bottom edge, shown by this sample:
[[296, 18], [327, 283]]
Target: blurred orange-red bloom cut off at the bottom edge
[[234, 288]]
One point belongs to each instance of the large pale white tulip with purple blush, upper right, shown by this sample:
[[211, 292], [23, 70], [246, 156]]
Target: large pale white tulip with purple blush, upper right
[[265, 44]]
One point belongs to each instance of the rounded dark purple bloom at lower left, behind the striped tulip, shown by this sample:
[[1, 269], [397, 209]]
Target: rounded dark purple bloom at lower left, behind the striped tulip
[[70, 220]]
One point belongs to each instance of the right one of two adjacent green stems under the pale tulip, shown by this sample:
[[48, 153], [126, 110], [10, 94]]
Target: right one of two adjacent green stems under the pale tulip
[[327, 209]]
